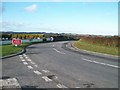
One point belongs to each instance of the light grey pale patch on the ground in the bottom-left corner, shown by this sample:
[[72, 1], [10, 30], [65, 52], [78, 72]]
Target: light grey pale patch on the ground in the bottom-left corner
[[9, 83]]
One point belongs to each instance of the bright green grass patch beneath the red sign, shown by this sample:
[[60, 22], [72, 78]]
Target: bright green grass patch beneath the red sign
[[11, 49]]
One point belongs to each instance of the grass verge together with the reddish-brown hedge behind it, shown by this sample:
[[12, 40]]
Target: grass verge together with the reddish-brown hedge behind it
[[106, 45]]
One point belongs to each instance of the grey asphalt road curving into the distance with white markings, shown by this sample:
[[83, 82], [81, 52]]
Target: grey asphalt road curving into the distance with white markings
[[53, 65]]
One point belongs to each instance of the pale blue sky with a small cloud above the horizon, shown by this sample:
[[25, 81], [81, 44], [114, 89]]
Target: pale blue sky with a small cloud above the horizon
[[98, 18]]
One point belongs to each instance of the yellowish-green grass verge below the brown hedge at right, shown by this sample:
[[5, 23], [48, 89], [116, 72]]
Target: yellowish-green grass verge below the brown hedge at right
[[96, 48]]
